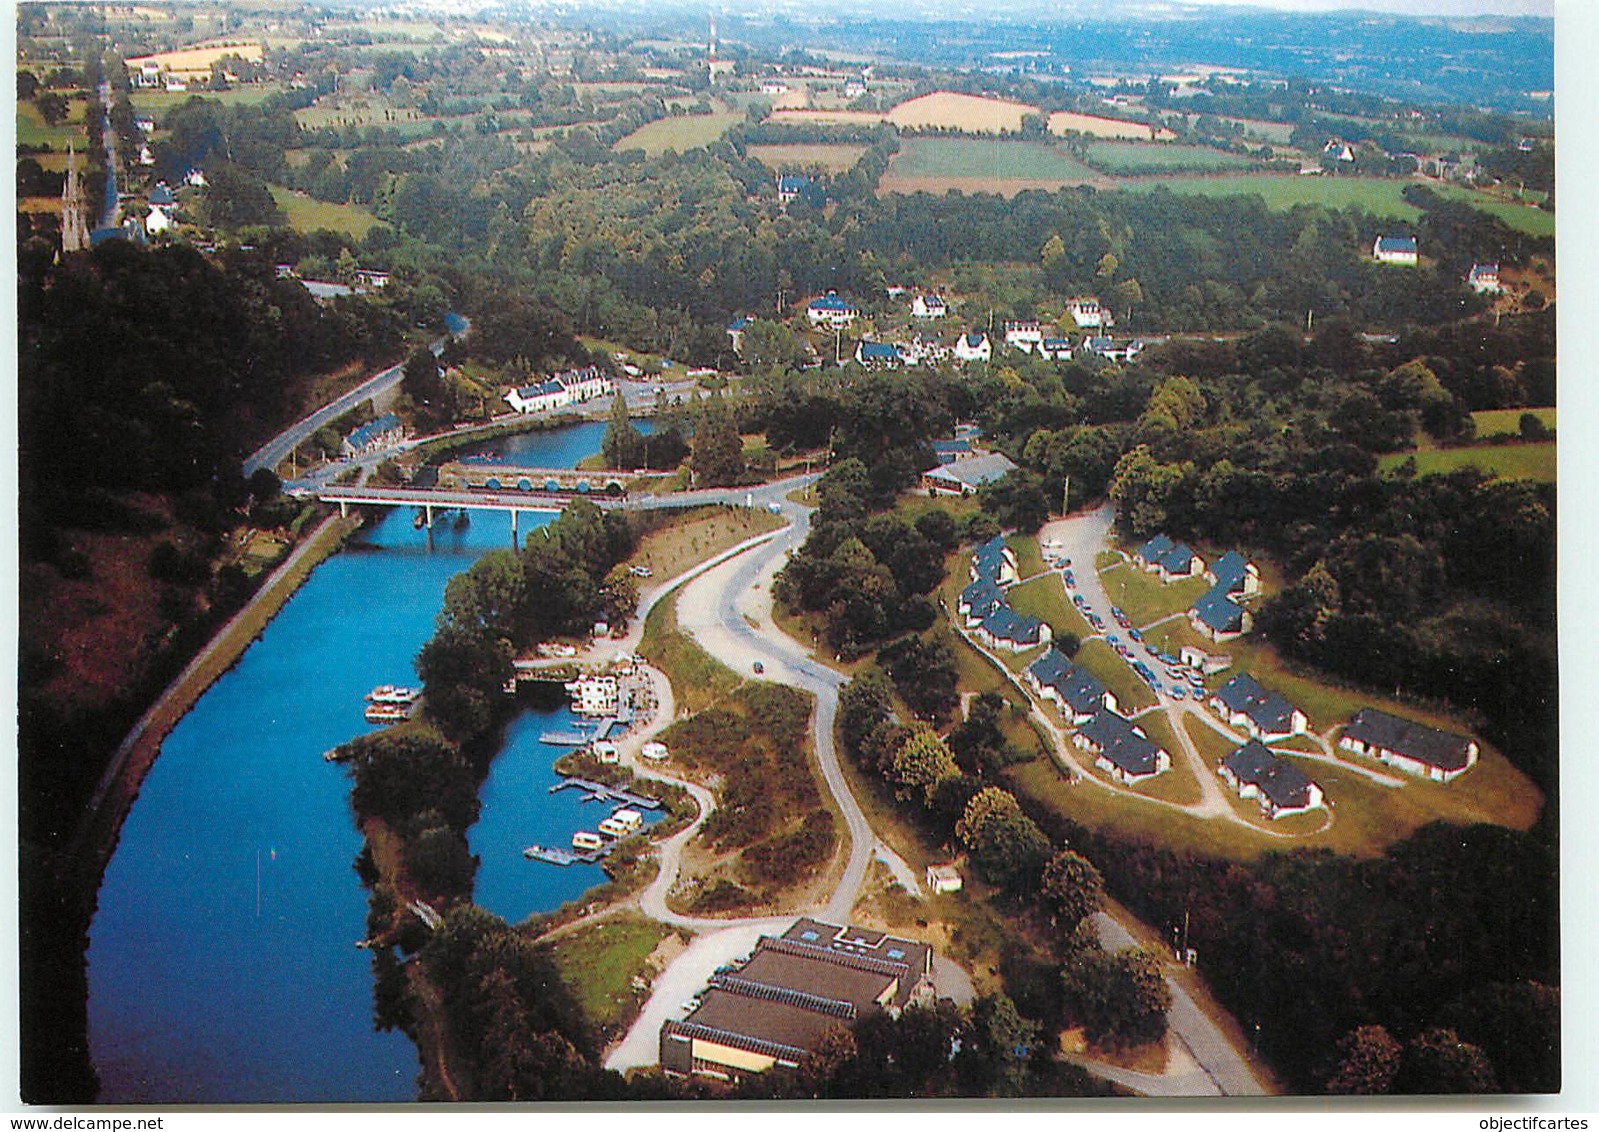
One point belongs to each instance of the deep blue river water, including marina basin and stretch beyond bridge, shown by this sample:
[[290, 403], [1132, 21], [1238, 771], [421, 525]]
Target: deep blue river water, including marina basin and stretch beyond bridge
[[221, 959]]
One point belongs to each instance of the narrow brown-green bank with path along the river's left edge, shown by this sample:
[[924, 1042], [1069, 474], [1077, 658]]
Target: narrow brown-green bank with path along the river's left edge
[[98, 832]]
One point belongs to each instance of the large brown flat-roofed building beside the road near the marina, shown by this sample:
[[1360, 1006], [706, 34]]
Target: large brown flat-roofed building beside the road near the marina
[[794, 990]]
